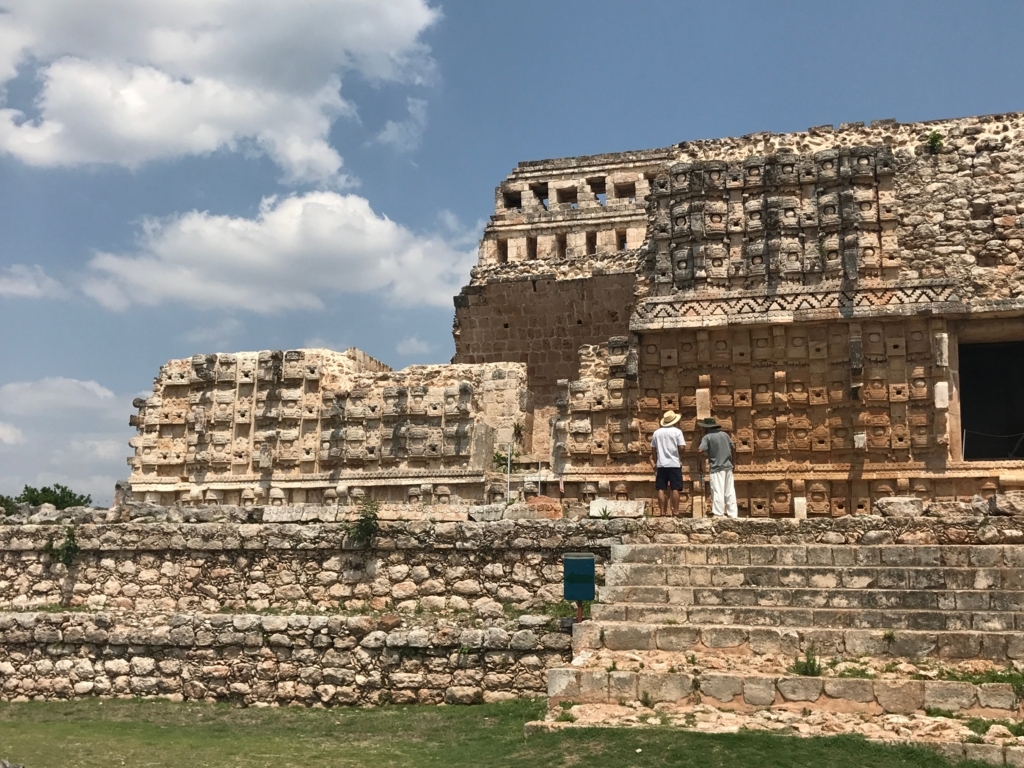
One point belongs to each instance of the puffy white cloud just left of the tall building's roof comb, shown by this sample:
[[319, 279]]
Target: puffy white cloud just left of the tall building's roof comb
[[297, 253]]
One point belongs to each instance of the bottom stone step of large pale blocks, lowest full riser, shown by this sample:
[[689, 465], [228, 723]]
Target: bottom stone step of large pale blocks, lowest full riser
[[758, 692]]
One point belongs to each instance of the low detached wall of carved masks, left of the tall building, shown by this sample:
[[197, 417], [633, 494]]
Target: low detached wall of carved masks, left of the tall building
[[303, 425]]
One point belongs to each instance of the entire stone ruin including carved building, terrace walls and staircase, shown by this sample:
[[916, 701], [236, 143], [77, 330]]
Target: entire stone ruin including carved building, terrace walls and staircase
[[848, 304]]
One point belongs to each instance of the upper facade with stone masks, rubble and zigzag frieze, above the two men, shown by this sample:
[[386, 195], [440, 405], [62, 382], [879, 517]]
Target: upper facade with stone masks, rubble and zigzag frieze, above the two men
[[865, 222]]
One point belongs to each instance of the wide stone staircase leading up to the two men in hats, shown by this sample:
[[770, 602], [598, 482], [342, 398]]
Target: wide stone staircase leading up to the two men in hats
[[721, 624]]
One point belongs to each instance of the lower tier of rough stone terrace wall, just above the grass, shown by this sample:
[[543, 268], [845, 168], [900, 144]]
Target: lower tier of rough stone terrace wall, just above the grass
[[267, 660]]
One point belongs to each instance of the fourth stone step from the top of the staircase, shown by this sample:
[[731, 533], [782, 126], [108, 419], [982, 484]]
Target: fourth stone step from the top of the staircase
[[764, 616]]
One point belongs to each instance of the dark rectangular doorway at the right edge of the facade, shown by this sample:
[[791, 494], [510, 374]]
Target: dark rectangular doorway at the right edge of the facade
[[993, 400]]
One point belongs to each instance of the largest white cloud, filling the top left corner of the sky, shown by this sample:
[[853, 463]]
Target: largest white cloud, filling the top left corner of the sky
[[132, 81]]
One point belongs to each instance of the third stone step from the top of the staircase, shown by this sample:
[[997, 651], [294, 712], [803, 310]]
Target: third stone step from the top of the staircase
[[978, 601]]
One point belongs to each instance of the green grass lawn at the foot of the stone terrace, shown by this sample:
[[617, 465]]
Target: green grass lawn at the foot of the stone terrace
[[94, 734]]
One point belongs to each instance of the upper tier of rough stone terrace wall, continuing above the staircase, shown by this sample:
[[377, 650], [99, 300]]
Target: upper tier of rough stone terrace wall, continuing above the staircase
[[411, 566]]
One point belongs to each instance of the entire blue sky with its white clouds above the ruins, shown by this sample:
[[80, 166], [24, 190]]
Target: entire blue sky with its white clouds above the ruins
[[182, 177]]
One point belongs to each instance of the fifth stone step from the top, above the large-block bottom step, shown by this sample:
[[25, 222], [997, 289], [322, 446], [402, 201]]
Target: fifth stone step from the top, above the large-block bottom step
[[844, 644]]
